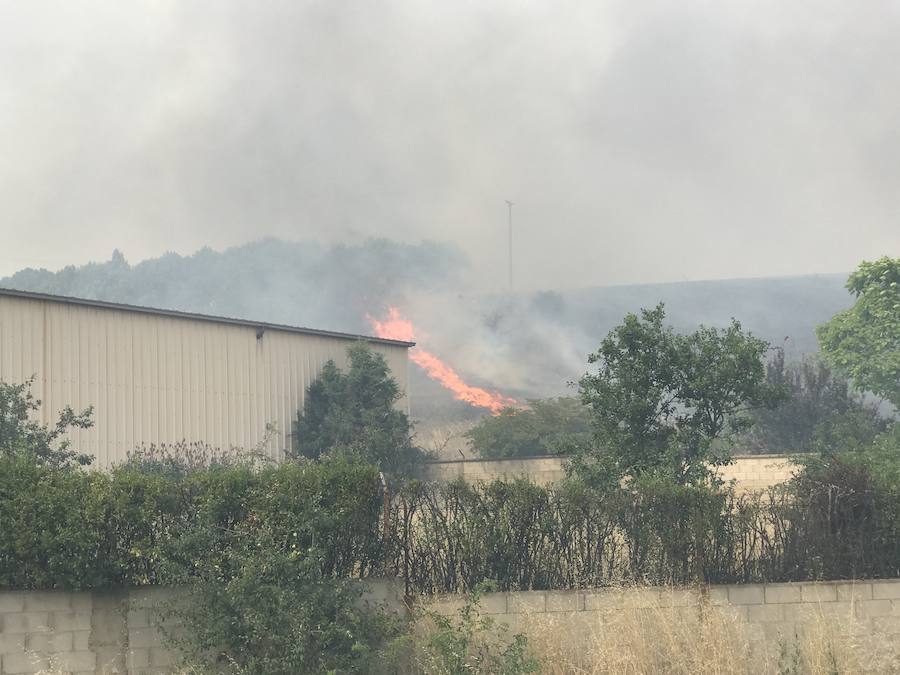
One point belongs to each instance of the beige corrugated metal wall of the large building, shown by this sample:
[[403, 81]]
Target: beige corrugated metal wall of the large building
[[162, 379]]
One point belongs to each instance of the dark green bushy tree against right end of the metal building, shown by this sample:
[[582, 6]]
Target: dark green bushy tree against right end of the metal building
[[353, 414]]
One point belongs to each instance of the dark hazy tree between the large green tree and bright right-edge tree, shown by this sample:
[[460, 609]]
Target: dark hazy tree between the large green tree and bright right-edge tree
[[822, 413]]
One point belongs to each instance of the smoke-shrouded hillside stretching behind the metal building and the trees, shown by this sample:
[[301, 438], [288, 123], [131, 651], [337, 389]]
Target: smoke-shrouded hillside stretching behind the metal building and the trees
[[524, 345]]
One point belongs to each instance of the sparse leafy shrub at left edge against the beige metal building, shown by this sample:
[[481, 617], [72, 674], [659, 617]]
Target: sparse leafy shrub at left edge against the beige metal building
[[20, 434]]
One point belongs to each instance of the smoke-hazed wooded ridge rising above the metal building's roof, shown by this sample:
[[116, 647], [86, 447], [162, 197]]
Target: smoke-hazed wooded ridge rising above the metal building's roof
[[301, 283]]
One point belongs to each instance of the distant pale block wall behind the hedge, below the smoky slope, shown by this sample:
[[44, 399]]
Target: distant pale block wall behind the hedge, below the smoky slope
[[750, 473]]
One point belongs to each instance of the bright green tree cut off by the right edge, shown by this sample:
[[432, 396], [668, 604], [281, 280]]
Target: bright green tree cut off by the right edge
[[863, 342]]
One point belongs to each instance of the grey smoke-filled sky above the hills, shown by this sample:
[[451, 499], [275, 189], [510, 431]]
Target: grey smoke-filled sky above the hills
[[641, 141]]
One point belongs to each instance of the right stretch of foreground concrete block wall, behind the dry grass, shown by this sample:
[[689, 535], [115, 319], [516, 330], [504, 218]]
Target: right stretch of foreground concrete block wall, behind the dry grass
[[862, 617]]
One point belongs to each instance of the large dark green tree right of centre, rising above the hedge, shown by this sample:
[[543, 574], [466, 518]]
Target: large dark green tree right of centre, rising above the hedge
[[661, 400]]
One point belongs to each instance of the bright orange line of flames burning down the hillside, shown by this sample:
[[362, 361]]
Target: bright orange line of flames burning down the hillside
[[395, 327]]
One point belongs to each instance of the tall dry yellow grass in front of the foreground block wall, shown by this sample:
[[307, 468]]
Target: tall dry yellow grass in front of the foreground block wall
[[702, 639]]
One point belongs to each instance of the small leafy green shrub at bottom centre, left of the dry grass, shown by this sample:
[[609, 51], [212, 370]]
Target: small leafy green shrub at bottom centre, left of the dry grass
[[473, 643]]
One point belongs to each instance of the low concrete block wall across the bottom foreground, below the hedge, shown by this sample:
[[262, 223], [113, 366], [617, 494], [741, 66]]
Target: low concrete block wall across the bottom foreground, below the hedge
[[119, 632]]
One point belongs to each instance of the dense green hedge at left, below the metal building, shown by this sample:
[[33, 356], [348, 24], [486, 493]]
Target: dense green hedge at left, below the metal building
[[140, 525]]
